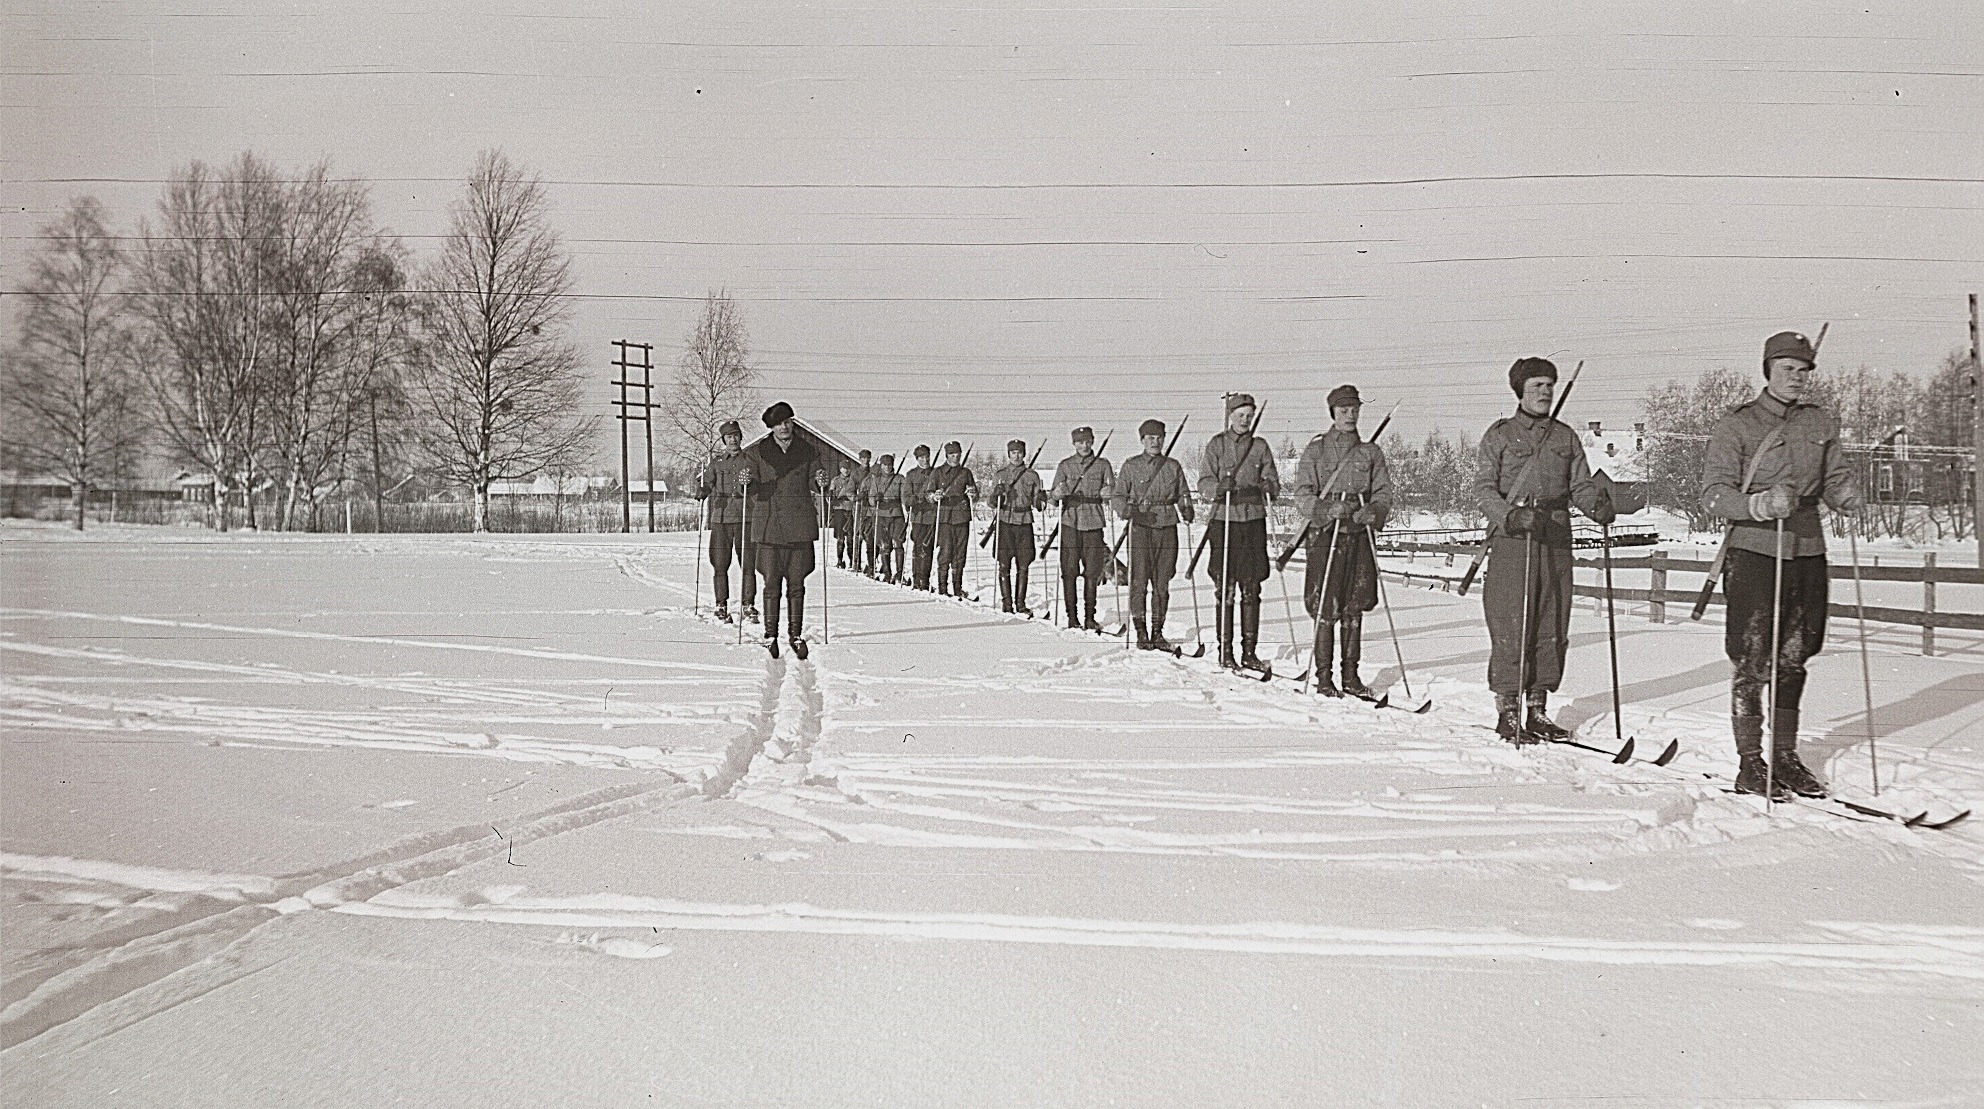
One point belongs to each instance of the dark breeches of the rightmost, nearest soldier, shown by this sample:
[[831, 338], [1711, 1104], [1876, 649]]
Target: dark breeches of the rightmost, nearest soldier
[[1749, 582]]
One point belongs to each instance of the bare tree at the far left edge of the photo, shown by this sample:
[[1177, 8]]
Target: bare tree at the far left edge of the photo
[[68, 382]]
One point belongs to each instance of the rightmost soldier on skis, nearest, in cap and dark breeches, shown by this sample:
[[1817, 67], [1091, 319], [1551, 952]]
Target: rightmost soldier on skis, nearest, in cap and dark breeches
[[1771, 465]]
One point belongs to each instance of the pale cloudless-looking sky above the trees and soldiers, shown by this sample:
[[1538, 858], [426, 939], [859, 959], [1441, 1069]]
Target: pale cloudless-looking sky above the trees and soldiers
[[983, 221]]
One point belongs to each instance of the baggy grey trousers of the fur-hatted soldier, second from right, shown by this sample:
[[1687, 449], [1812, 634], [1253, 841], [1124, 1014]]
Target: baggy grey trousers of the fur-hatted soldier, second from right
[[1529, 654]]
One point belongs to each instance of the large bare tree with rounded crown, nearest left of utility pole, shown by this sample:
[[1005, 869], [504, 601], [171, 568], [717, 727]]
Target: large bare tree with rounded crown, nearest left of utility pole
[[499, 382]]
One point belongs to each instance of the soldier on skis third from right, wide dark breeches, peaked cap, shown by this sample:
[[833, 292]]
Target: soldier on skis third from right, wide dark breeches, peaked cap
[[1344, 493]]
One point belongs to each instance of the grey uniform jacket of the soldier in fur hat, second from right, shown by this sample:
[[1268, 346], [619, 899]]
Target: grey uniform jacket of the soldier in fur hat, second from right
[[1558, 481]]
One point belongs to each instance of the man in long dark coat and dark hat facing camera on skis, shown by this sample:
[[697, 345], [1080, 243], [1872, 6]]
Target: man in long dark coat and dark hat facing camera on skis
[[781, 477]]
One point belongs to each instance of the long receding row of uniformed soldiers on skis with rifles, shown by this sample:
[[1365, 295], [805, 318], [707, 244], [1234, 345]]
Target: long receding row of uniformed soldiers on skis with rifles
[[1769, 467]]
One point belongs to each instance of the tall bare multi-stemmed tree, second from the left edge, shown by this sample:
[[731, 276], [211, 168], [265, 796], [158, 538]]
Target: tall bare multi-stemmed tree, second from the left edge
[[205, 273]]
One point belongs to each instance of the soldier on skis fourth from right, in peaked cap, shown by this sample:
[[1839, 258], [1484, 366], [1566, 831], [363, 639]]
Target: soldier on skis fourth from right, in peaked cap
[[1235, 479]]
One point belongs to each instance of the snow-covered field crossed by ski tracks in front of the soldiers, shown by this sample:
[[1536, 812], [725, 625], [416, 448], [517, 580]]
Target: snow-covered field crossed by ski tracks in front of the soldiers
[[305, 820]]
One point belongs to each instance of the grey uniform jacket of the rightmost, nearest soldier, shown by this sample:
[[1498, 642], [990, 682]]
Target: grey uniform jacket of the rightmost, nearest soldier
[[1798, 447]]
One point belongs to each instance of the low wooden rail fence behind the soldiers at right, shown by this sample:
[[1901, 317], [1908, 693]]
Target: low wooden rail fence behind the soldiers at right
[[1660, 594]]
